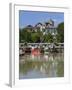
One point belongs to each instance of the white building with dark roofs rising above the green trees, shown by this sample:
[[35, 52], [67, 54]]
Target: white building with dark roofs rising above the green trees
[[47, 27]]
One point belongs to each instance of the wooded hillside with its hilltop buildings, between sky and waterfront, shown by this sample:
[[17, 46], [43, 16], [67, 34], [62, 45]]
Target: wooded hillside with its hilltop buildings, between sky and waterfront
[[42, 32]]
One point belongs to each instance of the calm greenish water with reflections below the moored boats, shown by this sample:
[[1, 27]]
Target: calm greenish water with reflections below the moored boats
[[41, 66]]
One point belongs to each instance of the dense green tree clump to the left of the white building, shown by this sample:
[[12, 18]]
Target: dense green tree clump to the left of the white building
[[27, 35]]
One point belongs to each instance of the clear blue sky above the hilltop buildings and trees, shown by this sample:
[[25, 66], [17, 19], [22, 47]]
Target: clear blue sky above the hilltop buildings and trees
[[33, 17]]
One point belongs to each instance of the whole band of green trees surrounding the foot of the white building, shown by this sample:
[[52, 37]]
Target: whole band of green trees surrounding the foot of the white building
[[27, 35]]
